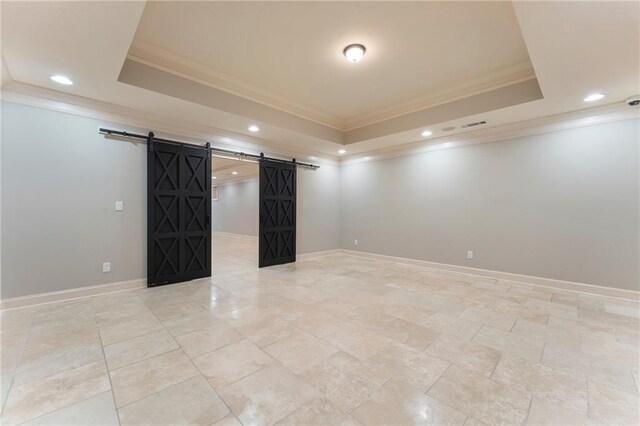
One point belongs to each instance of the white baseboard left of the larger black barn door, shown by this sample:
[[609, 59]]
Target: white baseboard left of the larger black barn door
[[74, 293]]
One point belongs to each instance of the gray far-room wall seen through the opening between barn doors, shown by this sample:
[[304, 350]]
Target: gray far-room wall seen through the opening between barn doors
[[236, 211]]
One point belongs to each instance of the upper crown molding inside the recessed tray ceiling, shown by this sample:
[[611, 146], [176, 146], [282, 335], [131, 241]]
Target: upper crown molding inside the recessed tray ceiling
[[173, 63]]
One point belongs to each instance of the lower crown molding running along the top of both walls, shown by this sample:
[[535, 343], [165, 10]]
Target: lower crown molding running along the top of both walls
[[57, 101]]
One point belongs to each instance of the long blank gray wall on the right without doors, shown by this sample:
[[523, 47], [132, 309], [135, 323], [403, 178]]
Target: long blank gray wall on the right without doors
[[562, 205]]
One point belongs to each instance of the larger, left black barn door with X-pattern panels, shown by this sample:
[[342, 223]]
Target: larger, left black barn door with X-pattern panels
[[178, 212]]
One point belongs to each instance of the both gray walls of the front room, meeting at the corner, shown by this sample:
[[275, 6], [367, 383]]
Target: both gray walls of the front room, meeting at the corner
[[561, 205]]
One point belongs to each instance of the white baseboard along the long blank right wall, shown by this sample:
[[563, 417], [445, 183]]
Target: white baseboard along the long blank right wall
[[617, 293]]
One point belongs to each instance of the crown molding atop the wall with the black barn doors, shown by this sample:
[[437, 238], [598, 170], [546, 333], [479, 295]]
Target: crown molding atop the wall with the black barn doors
[[71, 104]]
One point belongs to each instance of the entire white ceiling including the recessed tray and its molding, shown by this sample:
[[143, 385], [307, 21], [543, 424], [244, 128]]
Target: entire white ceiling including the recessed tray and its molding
[[312, 101]]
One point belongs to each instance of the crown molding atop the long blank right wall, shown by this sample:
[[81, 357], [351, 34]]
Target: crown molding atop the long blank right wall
[[581, 118]]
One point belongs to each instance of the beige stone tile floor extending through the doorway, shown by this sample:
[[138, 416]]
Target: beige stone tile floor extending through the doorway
[[332, 340]]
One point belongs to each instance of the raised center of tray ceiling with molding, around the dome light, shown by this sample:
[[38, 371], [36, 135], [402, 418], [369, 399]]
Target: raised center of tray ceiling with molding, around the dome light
[[288, 55]]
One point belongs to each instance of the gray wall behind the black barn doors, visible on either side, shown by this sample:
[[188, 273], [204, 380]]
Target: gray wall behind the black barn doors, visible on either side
[[60, 181]]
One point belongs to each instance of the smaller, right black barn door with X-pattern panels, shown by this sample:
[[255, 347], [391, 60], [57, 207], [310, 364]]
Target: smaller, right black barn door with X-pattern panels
[[277, 213]]
